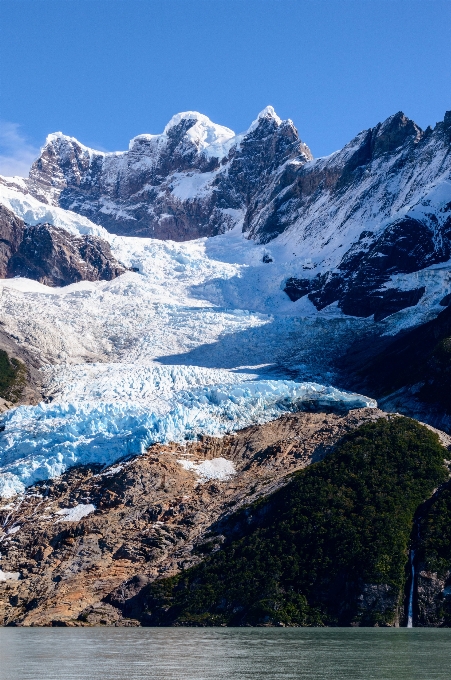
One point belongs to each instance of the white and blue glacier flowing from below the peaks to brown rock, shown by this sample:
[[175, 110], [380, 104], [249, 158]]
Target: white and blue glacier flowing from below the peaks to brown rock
[[188, 344]]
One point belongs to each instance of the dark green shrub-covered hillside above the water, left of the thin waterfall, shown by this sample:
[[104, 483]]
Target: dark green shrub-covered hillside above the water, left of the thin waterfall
[[330, 548]]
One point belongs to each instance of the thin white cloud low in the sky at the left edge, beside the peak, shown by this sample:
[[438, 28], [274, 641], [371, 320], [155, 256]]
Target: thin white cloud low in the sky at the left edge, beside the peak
[[16, 153]]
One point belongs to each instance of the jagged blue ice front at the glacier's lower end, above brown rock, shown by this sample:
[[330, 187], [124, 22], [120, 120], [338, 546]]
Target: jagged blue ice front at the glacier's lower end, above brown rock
[[41, 442]]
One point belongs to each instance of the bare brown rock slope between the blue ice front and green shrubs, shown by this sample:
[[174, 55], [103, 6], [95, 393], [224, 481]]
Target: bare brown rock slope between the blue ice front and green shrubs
[[82, 546]]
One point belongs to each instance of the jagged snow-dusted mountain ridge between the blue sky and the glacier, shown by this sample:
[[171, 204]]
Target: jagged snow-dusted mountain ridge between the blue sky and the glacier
[[378, 208]]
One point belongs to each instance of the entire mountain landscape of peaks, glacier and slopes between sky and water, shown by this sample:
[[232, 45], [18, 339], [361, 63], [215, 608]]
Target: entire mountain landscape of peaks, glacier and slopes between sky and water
[[194, 331]]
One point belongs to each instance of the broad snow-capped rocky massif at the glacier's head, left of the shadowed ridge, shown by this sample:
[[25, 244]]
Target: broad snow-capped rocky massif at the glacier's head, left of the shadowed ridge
[[194, 179]]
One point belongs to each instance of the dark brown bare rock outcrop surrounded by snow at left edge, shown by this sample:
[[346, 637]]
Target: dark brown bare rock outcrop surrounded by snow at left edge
[[51, 255]]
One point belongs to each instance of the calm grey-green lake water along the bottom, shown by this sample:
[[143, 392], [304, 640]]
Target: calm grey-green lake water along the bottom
[[207, 654]]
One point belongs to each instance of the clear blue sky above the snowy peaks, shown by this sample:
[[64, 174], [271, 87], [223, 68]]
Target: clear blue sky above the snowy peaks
[[106, 70]]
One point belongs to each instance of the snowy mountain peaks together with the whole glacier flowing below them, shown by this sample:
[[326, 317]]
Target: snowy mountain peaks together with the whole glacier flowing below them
[[212, 334]]
